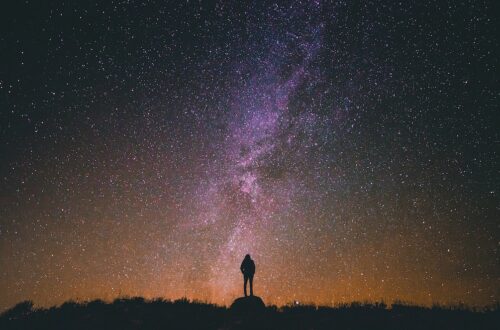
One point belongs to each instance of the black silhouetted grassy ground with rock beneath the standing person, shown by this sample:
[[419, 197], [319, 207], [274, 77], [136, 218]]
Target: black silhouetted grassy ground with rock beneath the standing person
[[244, 313]]
